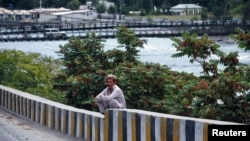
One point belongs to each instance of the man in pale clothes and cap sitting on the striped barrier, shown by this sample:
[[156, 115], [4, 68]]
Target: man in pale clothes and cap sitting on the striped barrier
[[111, 97]]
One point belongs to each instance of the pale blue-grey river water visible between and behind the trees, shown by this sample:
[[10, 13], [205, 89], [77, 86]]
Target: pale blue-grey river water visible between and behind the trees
[[157, 50]]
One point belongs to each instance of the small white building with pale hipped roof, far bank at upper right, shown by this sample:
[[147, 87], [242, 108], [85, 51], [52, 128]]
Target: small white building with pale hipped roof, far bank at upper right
[[186, 9]]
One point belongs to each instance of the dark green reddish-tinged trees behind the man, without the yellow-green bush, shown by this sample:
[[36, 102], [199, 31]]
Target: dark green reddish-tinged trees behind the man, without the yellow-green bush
[[153, 87]]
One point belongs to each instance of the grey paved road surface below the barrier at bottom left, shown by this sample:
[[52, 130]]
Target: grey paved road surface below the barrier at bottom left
[[13, 128]]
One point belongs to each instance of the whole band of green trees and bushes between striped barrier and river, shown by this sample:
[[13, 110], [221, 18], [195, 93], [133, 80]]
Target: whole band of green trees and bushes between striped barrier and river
[[148, 86]]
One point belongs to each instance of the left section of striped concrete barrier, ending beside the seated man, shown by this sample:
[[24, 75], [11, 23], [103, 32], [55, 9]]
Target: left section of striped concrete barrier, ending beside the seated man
[[79, 123]]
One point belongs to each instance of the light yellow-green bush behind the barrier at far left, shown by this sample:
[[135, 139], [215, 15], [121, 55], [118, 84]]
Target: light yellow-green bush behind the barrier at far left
[[29, 72]]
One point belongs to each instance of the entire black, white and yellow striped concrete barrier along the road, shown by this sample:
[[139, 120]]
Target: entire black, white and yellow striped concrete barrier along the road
[[117, 125]]
